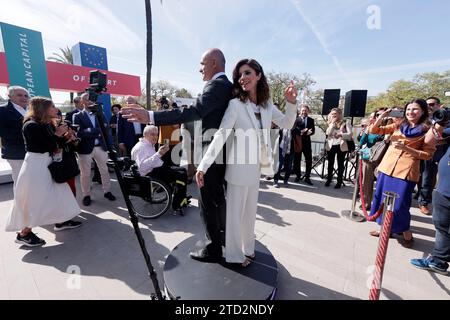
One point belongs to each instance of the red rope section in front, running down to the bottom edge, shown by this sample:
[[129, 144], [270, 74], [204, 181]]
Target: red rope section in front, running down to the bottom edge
[[381, 256]]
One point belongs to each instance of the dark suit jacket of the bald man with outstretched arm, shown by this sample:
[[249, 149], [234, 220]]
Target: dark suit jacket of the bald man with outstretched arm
[[210, 106]]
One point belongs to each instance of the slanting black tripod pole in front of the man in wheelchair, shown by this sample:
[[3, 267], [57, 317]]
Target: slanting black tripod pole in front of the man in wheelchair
[[98, 111]]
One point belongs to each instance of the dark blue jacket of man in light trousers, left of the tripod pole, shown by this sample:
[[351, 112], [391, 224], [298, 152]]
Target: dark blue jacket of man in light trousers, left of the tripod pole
[[87, 142]]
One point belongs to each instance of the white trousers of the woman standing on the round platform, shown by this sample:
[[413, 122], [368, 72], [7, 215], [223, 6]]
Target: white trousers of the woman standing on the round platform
[[242, 203]]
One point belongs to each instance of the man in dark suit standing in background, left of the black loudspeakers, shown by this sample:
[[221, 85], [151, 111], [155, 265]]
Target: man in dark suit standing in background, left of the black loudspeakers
[[304, 127]]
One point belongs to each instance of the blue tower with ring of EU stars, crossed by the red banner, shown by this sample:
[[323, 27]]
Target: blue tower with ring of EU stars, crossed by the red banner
[[88, 55]]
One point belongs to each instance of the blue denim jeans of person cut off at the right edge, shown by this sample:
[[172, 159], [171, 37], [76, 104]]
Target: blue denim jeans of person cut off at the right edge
[[441, 220]]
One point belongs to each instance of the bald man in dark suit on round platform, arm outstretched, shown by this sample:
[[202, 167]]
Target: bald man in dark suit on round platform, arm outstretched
[[210, 108]]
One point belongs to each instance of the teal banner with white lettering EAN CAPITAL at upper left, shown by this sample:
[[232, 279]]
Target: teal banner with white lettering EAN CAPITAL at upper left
[[25, 59]]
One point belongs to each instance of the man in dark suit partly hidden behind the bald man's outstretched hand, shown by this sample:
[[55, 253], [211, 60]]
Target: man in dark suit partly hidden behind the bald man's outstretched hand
[[128, 133]]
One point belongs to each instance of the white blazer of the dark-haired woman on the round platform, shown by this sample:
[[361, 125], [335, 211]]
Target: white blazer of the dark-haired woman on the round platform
[[250, 152]]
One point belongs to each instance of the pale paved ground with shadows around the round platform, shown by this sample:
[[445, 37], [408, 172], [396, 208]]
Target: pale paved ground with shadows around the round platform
[[320, 254]]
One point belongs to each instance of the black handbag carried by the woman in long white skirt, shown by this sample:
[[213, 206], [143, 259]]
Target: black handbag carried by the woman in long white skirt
[[66, 169]]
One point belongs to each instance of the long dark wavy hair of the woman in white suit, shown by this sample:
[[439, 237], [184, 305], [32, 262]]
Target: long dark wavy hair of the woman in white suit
[[262, 88]]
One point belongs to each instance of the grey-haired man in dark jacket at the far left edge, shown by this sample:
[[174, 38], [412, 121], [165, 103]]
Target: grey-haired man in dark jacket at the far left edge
[[11, 121]]
